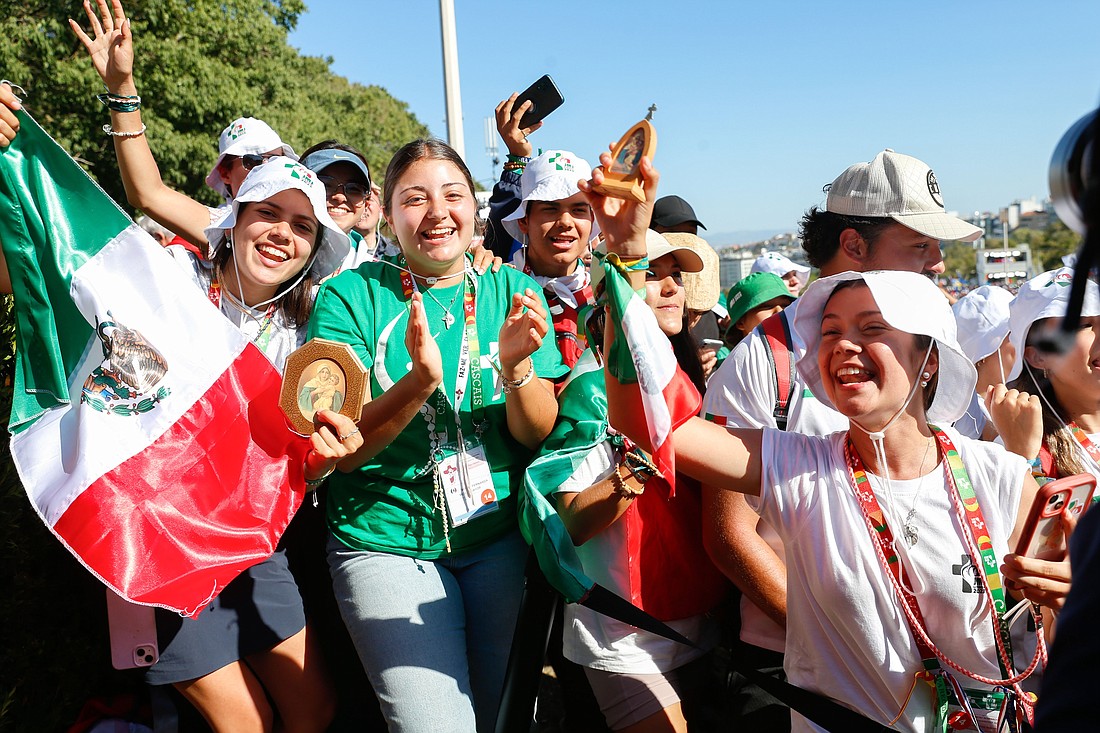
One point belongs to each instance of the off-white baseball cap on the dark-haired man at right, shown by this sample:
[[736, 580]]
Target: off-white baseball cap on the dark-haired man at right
[[903, 189]]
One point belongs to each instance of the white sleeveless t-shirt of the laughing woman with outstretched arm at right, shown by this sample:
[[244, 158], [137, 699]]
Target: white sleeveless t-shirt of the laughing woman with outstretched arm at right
[[851, 640]]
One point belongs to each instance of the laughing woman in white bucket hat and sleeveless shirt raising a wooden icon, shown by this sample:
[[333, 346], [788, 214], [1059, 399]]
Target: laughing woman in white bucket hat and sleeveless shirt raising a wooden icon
[[895, 593]]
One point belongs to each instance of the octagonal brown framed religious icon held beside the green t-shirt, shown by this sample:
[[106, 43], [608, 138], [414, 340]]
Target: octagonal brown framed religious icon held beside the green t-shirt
[[323, 375]]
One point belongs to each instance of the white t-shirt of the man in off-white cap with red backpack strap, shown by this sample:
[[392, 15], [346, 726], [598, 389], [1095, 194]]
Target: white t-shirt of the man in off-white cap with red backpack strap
[[743, 392]]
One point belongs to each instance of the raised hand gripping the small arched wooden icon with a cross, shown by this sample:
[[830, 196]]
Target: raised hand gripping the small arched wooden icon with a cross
[[623, 222]]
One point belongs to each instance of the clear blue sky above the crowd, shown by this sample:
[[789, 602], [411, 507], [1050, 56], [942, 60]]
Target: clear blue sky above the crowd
[[761, 105]]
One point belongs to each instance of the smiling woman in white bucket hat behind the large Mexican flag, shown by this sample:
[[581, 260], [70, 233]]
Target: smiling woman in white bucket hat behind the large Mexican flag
[[248, 660]]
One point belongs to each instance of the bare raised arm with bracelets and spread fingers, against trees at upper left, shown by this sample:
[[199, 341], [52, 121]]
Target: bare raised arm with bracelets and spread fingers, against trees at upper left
[[111, 48]]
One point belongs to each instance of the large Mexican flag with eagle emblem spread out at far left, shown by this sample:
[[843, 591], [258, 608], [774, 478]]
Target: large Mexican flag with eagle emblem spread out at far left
[[146, 428]]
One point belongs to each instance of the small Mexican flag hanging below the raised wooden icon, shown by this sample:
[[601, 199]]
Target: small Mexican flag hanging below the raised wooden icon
[[642, 355]]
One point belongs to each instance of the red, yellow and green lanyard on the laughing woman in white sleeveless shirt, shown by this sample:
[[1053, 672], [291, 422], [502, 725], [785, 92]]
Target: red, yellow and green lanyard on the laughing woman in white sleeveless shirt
[[980, 548]]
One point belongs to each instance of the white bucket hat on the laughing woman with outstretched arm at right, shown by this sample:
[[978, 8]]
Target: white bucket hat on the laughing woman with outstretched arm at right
[[910, 303]]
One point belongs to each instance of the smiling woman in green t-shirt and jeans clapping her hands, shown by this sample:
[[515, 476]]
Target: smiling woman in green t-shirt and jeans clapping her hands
[[423, 520]]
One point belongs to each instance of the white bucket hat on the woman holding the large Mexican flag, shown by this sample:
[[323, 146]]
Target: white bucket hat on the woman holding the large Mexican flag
[[277, 176]]
